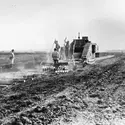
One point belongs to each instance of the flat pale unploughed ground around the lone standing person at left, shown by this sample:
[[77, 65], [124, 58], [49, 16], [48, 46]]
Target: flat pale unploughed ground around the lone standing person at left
[[25, 64]]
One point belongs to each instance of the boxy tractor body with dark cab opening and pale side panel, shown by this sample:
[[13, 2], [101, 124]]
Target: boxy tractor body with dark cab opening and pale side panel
[[83, 49]]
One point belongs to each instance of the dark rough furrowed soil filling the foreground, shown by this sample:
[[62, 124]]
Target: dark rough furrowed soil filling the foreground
[[94, 95]]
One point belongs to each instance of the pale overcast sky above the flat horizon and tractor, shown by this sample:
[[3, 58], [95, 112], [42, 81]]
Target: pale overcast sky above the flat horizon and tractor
[[33, 25]]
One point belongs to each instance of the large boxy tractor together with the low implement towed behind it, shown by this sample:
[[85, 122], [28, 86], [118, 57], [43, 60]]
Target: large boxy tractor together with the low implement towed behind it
[[81, 51]]
